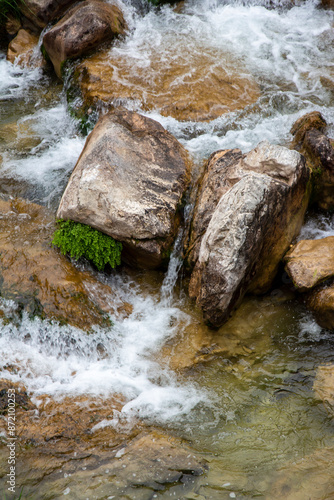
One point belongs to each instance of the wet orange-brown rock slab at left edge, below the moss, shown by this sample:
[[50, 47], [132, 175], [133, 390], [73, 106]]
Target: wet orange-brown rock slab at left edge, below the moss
[[37, 276]]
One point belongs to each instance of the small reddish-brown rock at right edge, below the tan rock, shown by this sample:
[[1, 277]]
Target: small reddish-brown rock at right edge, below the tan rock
[[321, 303]]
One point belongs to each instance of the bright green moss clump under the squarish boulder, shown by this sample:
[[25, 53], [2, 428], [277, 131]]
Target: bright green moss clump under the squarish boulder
[[79, 240]]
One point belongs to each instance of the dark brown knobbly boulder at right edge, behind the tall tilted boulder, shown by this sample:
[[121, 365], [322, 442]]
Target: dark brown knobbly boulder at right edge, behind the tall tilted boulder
[[310, 139]]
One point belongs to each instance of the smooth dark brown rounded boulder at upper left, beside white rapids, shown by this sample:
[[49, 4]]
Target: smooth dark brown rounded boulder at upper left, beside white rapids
[[84, 27]]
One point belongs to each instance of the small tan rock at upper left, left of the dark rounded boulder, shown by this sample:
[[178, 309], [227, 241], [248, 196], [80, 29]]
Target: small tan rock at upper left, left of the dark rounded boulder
[[21, 50]]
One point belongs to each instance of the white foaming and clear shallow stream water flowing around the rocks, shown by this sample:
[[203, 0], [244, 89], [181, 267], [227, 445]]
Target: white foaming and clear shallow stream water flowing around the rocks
[[242, 397]]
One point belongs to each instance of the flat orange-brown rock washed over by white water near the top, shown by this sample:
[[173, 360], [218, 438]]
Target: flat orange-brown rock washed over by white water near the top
[[194, 88]]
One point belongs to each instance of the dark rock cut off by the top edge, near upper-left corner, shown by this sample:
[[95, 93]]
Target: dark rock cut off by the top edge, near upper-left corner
[[41, 12]]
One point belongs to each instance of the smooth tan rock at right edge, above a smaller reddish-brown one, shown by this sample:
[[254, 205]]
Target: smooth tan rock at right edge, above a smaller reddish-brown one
[[310, 262]]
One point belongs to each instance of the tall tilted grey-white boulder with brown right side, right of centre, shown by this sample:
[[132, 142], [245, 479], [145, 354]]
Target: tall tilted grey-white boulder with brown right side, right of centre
[[261, 210]]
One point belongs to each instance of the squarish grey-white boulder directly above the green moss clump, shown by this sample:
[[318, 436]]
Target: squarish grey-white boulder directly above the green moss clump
[[128, 183]]
